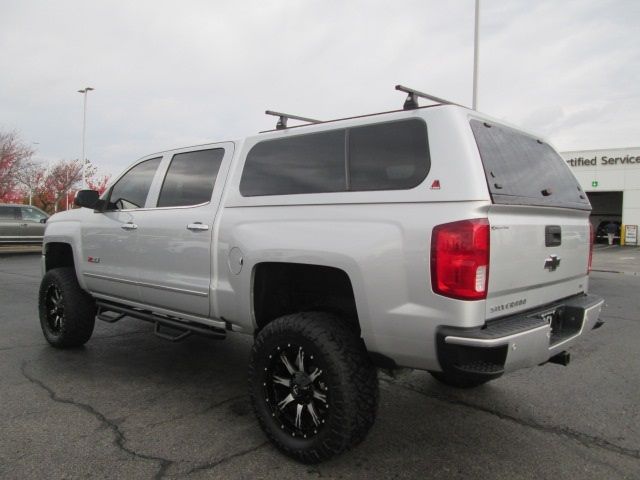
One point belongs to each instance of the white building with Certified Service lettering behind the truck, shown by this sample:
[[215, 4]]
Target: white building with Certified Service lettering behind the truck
[[611, 179]]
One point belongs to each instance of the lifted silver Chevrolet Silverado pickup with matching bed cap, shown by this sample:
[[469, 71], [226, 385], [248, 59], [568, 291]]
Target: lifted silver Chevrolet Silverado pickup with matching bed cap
[[432, 238]]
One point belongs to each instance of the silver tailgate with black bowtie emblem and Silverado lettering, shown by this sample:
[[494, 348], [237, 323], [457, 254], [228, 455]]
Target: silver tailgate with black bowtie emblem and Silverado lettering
[[538, 255]]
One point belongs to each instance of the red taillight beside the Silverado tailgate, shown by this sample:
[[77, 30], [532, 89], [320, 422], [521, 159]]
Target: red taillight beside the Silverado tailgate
[[460, 259]]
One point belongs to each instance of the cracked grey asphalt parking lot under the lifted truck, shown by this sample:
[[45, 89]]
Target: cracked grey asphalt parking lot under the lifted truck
[[130, 405]]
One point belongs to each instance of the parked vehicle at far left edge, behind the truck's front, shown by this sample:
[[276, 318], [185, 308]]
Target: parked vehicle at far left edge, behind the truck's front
[[21, 224]]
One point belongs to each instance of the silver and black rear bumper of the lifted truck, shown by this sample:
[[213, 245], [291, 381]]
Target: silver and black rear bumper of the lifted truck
[[518, 341]]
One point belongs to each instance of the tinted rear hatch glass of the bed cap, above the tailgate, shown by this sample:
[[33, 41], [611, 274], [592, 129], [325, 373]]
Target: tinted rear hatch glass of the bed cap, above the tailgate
[[523, 170]]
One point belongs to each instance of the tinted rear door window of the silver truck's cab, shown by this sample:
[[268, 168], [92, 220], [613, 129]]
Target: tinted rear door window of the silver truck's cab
[[190, 178]]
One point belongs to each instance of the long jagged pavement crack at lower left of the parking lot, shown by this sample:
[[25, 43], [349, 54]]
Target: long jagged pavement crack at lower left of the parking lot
[[119, 437]]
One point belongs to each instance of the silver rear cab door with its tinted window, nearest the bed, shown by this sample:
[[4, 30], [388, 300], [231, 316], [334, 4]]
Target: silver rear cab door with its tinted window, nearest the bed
[[175, 236]]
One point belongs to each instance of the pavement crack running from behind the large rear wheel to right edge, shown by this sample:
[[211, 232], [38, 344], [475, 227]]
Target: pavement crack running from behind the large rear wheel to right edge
[[581, 437]]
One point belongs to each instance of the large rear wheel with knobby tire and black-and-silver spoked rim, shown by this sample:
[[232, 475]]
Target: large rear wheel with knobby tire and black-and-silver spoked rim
[[312, 386]]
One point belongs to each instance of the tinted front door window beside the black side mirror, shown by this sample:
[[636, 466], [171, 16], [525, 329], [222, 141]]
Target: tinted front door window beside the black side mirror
[[132, 189]]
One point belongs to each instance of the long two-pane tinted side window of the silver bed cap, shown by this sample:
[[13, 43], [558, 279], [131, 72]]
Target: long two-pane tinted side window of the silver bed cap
[[386, 156]]
